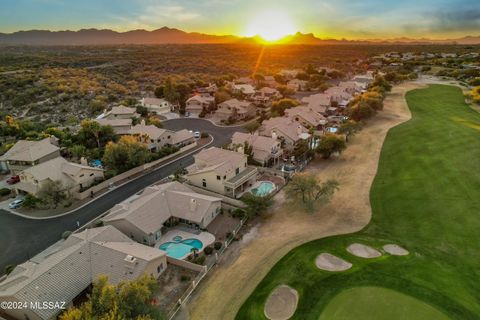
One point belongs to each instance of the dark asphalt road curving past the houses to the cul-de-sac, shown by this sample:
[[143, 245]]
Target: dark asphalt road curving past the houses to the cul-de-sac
[[21, 238]]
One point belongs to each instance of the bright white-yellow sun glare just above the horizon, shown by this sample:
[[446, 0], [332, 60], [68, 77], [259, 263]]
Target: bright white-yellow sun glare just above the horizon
[[271, 26]]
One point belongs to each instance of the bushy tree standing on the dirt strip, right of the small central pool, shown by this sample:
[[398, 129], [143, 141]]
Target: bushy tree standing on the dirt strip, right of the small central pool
[[305, 189]]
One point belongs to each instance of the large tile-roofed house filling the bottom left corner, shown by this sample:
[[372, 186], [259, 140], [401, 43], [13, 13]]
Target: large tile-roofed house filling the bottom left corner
[[65, 270]]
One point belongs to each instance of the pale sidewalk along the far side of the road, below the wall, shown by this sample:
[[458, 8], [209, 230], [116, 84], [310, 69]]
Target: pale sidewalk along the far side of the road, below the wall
[[59, 212]]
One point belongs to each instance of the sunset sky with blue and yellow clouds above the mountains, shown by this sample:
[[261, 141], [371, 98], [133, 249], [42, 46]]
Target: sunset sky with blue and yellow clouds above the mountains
[[350, 19]]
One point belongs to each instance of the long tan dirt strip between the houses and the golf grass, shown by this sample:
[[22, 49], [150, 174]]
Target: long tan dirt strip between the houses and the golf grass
[[222, 294]]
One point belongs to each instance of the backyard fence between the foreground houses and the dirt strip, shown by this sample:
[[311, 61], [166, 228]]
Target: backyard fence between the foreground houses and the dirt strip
[[191, 288]]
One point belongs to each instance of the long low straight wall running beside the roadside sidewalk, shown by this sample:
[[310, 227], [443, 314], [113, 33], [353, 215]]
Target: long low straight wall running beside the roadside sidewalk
[[130, 173]]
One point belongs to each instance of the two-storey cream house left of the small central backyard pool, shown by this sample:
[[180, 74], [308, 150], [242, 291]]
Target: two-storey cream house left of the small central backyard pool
[[222, 171]]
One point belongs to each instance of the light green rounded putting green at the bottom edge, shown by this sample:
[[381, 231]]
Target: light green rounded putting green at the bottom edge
[[365, 303]]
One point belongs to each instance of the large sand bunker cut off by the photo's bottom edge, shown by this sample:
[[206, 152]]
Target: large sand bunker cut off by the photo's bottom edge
[[281, 303]]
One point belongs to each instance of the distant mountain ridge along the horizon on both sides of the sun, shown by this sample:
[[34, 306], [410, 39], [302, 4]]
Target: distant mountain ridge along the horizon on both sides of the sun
[[167, 35]]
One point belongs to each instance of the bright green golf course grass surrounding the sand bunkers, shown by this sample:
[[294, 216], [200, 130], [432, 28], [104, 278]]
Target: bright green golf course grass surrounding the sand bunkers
[[425, 198]]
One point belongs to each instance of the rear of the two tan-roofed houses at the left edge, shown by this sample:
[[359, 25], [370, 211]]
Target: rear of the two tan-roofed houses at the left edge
[[25, 154]]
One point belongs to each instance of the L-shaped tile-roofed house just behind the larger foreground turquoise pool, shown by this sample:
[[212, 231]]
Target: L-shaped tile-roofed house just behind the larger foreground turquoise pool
[[143, 218]]
